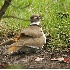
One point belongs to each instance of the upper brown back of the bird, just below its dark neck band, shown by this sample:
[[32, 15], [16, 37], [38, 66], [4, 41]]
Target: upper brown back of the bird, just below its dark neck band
[[33, 31]]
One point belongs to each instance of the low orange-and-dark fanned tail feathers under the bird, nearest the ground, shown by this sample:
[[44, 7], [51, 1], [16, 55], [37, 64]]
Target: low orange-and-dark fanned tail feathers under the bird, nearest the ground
[[19, 49]]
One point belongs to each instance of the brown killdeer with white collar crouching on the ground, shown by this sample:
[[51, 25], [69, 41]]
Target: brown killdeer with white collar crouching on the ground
[[32, 37]]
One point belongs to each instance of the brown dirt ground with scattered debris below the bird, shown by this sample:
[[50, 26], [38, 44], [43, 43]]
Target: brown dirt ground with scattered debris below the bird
[[40, 60]]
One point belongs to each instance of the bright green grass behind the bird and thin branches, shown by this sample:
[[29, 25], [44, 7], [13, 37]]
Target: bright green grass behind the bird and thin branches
[[58, 27]]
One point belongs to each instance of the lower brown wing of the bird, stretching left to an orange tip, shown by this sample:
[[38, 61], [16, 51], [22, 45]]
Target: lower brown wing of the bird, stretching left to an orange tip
[[22, 43]]
